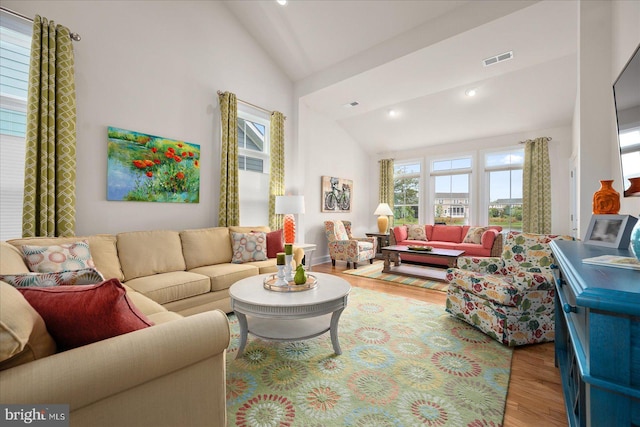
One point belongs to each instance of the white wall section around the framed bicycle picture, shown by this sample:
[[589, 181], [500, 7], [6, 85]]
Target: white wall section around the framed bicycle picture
[[327, 150]]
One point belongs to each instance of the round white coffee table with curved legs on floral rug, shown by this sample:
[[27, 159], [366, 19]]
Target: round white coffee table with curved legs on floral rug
[[289, 316]]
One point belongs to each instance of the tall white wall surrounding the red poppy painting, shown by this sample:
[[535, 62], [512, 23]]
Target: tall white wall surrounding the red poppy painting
[[155, 67]]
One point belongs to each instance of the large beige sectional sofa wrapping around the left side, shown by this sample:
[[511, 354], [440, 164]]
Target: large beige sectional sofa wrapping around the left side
[[172, 373]]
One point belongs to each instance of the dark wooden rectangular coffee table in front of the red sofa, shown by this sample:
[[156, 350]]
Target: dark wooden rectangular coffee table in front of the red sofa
[[394, 254]]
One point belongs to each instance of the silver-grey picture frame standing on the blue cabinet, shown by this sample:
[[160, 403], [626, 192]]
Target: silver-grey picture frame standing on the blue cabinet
[[611, 231]]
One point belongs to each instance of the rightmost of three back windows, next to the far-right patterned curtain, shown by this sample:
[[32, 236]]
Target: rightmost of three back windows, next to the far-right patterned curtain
[[504, 182]]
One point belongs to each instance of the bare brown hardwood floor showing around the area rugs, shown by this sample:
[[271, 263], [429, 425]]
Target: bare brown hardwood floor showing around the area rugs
[[535, 391]]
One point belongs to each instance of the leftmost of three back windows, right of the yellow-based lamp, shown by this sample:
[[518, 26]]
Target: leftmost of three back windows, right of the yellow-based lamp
[[406, 192]]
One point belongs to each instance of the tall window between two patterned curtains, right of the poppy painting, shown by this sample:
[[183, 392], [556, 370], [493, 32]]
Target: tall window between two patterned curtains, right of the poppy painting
[[253, 166]]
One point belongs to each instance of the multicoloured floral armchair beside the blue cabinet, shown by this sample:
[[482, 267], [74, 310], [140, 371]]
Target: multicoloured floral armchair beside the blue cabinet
[[510, 298]]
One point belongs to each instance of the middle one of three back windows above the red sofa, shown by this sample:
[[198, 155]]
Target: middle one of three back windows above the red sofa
[[451, 180]]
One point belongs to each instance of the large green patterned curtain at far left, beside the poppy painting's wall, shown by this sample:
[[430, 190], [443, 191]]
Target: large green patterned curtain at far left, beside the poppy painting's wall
[[50, 163]]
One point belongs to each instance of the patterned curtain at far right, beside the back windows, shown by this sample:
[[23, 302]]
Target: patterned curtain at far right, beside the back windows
[[536, 202]]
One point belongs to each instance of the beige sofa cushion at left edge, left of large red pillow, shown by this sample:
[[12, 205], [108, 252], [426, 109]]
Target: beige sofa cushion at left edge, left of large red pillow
[[23, 334]]
